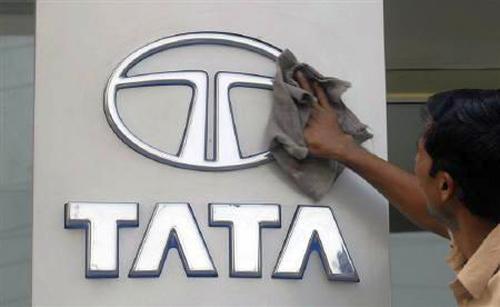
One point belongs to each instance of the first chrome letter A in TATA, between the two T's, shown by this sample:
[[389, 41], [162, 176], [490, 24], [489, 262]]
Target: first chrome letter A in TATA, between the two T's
[[173, 225]]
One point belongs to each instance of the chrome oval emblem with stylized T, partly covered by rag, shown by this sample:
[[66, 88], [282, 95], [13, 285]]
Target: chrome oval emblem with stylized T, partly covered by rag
[[192, 154]]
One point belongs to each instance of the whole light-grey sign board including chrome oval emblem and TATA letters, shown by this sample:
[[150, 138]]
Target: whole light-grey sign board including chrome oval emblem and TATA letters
[[152, 181]]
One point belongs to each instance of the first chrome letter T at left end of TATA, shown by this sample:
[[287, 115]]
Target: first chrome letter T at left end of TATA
[[101, 222]]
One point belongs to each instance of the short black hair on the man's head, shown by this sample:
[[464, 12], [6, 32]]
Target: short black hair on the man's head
[[463, 139]]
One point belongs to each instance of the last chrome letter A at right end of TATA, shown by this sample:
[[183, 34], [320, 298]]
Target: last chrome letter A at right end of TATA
[[314, 229]]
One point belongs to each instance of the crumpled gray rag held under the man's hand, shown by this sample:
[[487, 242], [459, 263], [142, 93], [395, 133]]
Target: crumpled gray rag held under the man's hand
[[290, 113]]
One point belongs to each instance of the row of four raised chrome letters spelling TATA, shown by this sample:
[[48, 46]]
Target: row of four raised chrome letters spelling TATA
[[174, 226]]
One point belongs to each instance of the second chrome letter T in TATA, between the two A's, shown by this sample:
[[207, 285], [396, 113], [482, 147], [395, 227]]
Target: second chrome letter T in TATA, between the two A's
[[245, 222]]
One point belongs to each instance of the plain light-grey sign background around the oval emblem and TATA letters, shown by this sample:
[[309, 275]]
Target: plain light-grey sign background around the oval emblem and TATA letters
[[78, 157]]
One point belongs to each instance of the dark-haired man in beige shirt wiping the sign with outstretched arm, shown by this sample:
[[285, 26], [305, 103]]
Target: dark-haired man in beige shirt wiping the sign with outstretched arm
[[455, 191]]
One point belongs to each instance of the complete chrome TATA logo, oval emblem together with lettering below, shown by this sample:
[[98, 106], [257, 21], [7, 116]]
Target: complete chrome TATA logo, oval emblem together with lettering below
[[174, 225]]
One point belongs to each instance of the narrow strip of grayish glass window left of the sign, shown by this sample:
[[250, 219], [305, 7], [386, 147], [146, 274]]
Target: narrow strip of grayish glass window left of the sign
[[16, 151]]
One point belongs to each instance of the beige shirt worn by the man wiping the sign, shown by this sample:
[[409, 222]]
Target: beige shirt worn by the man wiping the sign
[[478, 279]]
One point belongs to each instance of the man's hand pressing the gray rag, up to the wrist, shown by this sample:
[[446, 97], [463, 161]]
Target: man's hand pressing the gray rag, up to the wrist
[[323, 134]]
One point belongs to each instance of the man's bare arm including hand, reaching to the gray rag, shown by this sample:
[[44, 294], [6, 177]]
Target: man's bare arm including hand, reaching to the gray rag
[[326, 139]]
